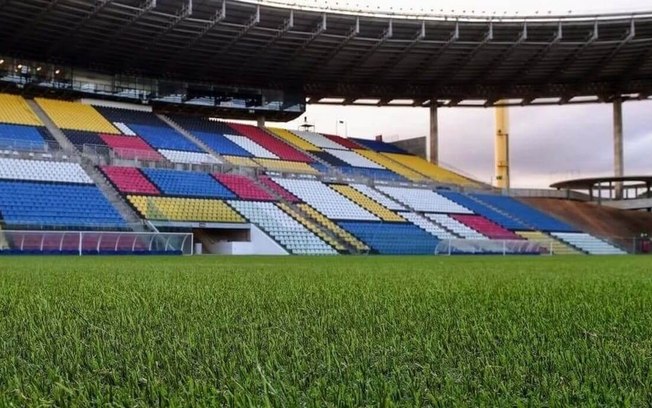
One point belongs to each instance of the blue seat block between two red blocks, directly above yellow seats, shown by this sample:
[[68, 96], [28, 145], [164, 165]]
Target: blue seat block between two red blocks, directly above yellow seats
[[186, 183]]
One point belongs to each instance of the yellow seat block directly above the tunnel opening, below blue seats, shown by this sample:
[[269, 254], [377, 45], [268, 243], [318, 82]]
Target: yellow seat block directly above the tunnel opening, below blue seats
[[185, 209]]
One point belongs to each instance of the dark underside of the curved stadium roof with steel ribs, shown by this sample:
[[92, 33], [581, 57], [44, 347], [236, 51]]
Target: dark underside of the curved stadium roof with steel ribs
[[343, 57]]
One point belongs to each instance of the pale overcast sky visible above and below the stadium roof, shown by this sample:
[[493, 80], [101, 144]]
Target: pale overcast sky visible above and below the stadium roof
[[548, 144]]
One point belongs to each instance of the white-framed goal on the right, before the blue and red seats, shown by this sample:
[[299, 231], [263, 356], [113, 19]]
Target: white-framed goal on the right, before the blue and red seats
[[493, 247]]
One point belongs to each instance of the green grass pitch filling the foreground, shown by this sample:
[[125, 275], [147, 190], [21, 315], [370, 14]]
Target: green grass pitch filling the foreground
[[345, 331]]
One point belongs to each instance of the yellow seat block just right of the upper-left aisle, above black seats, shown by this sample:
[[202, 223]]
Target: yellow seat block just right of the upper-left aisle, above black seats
[[76, 116]]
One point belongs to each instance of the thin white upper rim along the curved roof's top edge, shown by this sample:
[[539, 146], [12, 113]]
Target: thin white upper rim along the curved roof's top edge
[[454, 17]]
